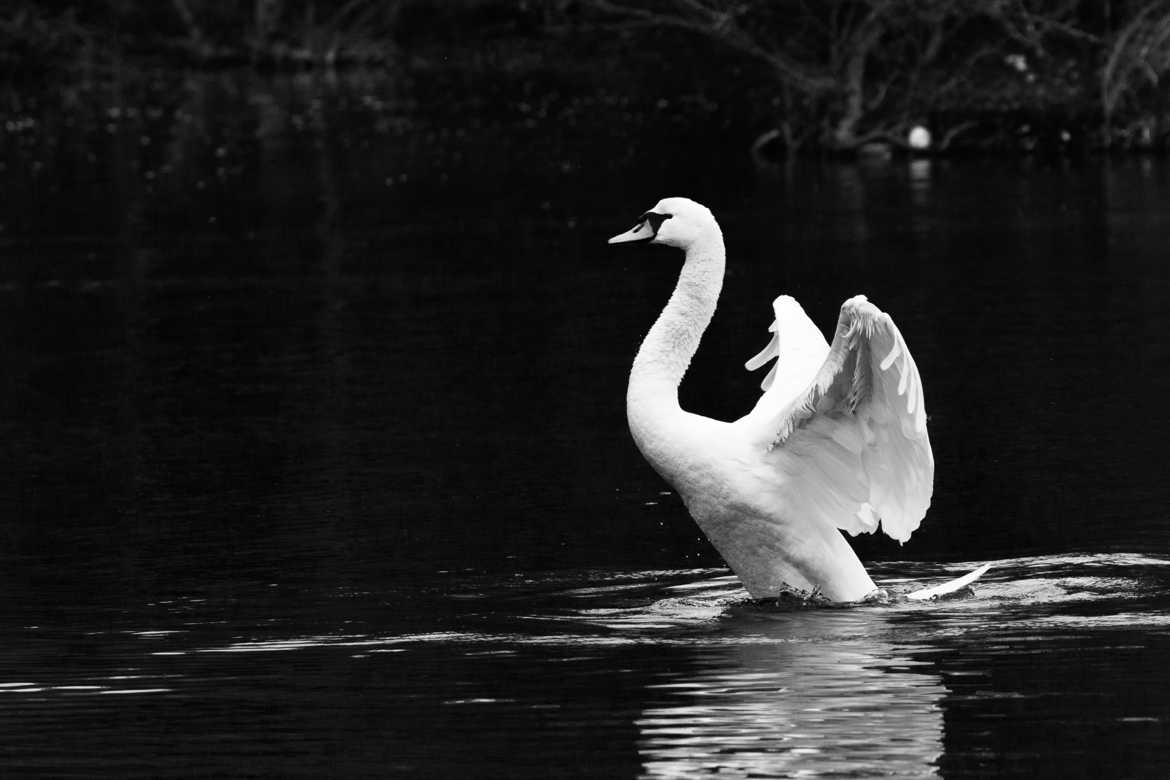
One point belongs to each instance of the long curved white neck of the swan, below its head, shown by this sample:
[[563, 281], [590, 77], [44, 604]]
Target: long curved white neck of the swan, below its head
[[672, 342]]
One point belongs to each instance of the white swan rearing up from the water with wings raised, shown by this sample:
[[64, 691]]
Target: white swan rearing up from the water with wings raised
[[837, 441]]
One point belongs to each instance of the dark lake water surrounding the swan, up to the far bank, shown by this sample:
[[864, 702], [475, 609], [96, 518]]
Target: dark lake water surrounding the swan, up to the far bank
[[316, 463]]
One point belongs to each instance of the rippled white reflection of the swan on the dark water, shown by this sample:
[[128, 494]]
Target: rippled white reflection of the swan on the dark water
[[809, 694]]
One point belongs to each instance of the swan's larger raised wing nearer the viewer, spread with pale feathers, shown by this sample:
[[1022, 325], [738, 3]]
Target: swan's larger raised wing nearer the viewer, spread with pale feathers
[[852, 447]]
